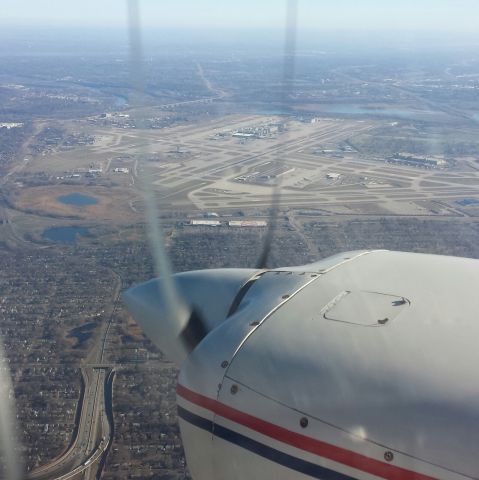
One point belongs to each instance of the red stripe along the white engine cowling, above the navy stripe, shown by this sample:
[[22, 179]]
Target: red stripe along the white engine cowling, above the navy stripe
[[302, 442]]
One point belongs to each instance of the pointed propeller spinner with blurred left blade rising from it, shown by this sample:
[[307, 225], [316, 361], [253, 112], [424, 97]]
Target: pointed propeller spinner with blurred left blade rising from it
[[175, 311]]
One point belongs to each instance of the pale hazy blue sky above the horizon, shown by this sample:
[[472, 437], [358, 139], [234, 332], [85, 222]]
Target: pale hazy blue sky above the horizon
[[450, 15]]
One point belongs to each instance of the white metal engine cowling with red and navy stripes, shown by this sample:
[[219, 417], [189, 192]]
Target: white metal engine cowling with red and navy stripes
[[362, 366]]
